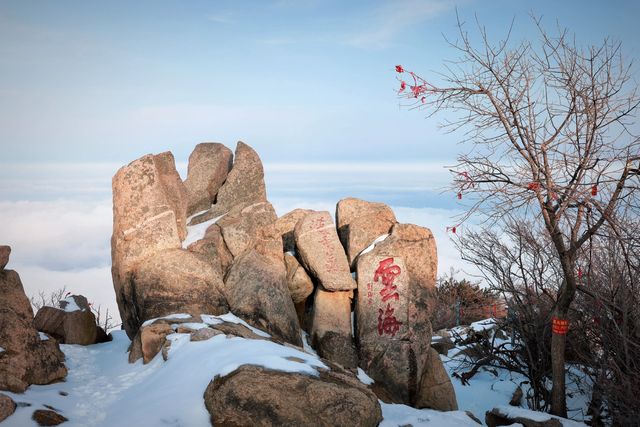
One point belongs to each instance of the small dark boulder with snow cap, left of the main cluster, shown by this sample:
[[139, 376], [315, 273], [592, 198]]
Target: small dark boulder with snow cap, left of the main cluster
[[73, 323]]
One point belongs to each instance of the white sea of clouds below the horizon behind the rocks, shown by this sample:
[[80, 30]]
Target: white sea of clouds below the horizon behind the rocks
[[58, 217]]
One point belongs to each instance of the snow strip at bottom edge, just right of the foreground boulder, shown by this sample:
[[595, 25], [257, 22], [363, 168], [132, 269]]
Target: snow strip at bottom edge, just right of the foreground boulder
[[402, 415]]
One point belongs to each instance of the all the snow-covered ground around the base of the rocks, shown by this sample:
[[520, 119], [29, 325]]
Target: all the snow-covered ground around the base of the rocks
[[103, 389]]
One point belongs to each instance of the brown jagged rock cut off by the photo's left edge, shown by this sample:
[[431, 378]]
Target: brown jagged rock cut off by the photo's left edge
[[26, 358]]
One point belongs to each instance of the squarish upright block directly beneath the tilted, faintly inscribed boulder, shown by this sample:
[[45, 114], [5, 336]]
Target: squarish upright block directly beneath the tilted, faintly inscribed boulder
[[331, 327]]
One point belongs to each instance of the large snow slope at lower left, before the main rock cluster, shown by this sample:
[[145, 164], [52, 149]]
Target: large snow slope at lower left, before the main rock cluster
[[105, 390]]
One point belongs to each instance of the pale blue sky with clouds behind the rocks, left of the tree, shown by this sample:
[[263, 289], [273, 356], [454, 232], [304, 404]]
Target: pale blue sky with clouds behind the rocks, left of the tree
[[86, 87]]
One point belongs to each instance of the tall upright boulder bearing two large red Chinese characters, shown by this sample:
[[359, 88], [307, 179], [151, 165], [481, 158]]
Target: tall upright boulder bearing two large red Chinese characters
[[395, 280]]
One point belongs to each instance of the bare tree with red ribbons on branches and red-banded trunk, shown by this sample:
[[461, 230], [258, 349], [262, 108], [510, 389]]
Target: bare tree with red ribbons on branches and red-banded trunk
[[549, 130]]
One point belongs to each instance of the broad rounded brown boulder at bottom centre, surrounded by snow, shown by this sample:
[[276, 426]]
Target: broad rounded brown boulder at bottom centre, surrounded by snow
[[255, 396]]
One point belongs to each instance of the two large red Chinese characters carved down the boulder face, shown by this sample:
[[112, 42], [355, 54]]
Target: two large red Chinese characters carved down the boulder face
[[386, 274]]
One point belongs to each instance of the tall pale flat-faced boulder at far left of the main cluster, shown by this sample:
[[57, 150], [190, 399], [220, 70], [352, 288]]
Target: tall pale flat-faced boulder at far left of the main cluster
[[149, 215]]
